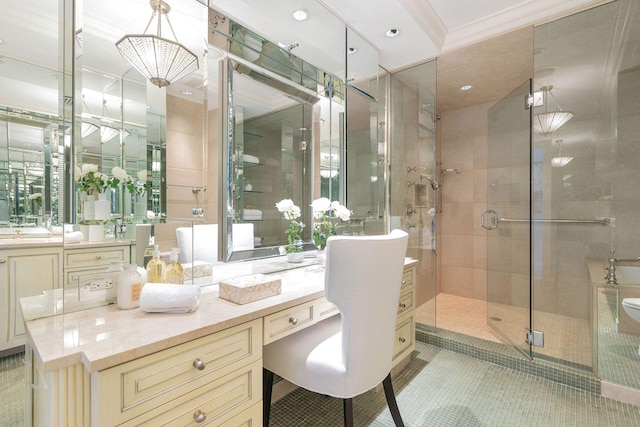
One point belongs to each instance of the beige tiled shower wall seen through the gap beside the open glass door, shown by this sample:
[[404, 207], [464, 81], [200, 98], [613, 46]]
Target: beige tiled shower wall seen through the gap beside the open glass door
[[462, 135]]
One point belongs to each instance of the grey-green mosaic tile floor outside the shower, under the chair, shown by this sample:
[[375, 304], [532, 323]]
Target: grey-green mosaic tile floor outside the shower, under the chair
[[441, 388]]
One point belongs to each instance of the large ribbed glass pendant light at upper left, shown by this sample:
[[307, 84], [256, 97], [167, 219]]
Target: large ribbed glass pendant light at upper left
[[159, 59]]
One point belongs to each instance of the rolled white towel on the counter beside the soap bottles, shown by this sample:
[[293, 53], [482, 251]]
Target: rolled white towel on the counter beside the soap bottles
[[169, 298]]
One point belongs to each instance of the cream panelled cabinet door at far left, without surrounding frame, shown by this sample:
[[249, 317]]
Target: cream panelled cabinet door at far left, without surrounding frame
[[29, 274]]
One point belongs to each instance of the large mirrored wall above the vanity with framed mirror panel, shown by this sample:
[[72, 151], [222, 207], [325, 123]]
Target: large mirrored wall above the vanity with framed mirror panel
[[71, 100]]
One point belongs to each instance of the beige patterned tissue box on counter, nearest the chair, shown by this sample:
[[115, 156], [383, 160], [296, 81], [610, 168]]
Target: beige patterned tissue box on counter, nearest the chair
[[246, 289]]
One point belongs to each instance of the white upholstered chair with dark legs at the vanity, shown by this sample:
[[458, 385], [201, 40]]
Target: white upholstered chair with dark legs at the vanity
[[347, 354]]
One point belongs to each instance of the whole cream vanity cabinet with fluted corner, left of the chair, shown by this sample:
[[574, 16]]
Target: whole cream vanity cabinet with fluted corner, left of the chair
[[214, 380]]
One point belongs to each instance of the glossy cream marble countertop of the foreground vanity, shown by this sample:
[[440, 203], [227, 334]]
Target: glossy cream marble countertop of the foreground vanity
[[105, 336]]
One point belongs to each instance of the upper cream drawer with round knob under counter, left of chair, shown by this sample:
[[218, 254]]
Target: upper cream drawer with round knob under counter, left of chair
[[143, 384]]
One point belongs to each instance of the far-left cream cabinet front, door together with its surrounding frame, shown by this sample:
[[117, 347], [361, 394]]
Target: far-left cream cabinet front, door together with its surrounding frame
[[24, 272]]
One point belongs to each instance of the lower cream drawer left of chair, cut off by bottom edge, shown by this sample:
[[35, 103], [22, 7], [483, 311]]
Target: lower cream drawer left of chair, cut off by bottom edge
[[233, 400]]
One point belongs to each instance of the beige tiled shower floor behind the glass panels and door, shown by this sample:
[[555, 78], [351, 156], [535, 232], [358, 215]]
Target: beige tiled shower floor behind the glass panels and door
[[567, 340]]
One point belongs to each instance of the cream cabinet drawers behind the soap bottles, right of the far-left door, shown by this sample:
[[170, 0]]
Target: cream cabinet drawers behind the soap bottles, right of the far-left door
[[92, 258]]
